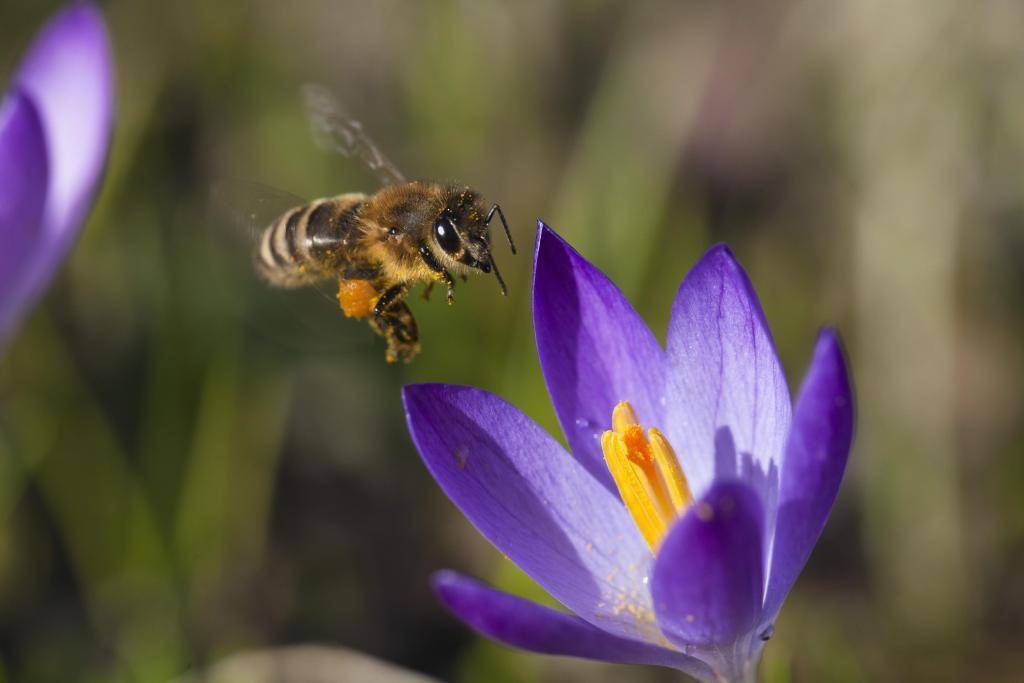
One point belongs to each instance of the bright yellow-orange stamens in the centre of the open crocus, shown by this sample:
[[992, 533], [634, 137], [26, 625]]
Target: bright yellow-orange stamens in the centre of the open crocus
[[648, 474]]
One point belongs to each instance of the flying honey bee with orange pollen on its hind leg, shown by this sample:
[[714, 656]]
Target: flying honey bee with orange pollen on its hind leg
[[379, 246]]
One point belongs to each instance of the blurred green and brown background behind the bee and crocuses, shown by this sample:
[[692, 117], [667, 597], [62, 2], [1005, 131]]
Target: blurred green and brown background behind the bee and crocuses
[[193, 465]]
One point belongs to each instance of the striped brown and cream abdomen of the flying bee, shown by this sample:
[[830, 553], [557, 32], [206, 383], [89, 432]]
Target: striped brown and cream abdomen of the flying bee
[[309, 243]]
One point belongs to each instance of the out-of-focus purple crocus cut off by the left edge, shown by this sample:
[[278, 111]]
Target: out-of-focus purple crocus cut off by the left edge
[[56, 124]]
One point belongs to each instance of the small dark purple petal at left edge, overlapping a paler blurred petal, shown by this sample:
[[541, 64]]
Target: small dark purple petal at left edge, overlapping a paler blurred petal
[[23, 194]]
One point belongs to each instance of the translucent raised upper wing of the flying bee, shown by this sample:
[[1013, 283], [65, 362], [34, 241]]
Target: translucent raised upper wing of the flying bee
[[336, 132]]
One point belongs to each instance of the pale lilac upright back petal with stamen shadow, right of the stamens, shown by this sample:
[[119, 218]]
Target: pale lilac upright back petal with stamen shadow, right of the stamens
[[729, 406]]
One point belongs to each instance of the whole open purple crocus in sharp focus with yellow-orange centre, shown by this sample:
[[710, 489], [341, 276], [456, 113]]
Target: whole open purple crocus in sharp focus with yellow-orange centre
[[672, 547]]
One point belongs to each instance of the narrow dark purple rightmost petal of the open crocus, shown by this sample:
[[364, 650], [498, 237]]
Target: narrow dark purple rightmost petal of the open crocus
[[813, 467]]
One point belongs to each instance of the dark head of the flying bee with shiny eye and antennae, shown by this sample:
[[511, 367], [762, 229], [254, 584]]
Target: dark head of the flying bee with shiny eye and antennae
[[462, 233]]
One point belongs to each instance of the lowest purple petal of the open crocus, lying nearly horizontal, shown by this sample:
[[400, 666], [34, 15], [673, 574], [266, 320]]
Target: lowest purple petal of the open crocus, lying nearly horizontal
[[514, 621]]
